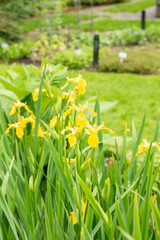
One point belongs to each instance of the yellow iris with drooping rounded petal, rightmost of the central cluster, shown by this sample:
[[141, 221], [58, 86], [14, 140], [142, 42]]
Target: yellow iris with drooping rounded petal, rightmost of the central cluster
[[93, 139]]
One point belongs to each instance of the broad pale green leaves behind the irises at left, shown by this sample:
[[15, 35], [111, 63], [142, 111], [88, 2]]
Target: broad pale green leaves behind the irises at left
[[18, 82]]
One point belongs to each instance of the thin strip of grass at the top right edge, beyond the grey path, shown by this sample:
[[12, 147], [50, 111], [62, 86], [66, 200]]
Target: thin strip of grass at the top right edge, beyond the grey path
[[133, 8]]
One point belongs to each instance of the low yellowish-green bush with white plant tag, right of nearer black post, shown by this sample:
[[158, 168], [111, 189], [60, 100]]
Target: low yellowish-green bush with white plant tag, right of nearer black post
[[138, 61]]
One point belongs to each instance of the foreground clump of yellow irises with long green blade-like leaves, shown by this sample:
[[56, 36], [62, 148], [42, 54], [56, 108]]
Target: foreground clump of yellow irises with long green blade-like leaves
[[54, 179]]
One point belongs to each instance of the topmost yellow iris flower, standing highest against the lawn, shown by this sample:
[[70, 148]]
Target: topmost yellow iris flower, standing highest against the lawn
[[80, 84]]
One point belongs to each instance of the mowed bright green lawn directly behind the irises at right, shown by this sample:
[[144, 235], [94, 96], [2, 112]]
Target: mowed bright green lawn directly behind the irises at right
[[135, 94]]
